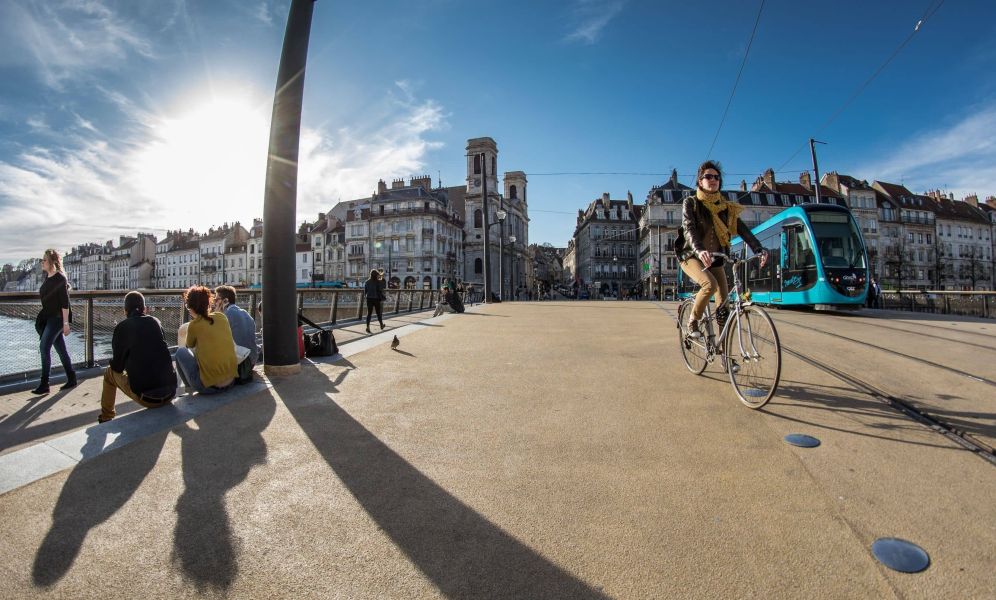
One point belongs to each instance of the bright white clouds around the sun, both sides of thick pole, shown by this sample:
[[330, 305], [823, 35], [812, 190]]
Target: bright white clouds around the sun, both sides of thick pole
[[197, 170]]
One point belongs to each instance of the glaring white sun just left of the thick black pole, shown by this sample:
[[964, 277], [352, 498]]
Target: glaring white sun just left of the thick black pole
[[208, 165]]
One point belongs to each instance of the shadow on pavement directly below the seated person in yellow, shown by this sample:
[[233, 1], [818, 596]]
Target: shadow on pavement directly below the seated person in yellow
[[217, 456]]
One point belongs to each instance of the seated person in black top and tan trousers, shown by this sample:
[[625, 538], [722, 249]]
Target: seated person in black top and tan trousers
[[141, 366]]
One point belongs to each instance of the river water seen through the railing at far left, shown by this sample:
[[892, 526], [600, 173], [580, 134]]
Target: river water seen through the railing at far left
[[19, 346]]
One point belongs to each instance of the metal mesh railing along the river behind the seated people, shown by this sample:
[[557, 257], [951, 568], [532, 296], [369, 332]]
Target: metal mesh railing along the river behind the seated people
[[95, 314]]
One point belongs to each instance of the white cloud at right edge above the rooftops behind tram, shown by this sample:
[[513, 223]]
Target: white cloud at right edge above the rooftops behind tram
[[959, 158]]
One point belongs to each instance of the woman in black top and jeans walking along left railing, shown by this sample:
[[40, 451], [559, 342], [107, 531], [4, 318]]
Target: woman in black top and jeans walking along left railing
[[53, 321]]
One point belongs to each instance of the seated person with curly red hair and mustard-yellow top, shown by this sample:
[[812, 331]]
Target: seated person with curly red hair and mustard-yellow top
[[206, 361]]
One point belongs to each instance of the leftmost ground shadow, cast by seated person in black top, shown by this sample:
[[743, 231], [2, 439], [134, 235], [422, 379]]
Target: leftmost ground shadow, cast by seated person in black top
[[93, 492]]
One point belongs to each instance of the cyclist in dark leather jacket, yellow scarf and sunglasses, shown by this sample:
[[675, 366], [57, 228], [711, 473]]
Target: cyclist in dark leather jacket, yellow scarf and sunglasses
[[709, 221]]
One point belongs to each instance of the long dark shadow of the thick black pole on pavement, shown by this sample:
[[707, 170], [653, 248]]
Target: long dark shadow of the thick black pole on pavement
[[464, 554]]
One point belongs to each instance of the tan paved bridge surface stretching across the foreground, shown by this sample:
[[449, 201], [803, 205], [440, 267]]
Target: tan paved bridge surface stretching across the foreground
[[528, 450]]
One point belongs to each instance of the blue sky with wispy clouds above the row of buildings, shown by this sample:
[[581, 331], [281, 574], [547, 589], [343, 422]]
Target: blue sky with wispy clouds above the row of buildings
[[142, 115]]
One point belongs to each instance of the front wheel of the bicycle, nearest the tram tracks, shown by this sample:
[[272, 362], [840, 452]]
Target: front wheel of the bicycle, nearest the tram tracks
[[754, 355]]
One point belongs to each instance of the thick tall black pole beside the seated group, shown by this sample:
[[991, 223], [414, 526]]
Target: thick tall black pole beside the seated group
[[280, 352]]
